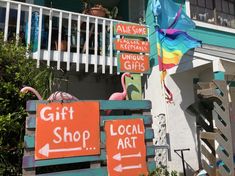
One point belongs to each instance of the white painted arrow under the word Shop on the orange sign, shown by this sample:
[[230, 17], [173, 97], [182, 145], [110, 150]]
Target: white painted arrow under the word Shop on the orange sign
[[45, 150]]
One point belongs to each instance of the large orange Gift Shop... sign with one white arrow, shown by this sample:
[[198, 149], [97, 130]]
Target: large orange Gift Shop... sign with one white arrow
[[67, 129]]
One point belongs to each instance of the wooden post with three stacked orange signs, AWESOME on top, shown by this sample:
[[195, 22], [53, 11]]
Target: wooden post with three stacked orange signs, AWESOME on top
[[133, 55]]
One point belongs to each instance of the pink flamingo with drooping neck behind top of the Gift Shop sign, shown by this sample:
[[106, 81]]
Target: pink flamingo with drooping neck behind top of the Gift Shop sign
[[58, 95]]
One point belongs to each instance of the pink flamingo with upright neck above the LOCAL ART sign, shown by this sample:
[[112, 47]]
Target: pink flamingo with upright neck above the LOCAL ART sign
[[119, 95]]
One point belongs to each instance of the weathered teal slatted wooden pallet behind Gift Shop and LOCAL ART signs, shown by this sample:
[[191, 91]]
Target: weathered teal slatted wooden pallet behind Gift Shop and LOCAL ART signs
[[30, 165]]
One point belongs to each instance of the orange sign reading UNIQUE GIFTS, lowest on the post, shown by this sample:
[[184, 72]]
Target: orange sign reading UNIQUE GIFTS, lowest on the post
[[133, 63]]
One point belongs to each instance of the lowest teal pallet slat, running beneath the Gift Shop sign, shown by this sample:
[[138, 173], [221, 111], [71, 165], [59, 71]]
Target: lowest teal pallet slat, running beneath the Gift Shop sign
[[93, 171]]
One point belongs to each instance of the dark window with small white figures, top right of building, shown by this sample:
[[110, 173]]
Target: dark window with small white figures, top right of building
[[219, 12]]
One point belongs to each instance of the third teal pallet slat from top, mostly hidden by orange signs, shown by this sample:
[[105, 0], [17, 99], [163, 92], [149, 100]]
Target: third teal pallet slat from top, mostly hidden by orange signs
[[29, 141]]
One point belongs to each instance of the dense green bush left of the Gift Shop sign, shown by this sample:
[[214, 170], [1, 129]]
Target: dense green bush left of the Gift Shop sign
[[16, 70]]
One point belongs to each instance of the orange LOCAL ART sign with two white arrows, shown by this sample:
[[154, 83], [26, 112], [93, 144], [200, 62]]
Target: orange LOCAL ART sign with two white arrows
[[126, 151]]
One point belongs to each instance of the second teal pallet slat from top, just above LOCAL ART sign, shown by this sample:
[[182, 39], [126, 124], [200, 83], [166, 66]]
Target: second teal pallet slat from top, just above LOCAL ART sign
[[31, 121]]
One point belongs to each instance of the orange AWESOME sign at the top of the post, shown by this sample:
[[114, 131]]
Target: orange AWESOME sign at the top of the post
[[130, 30]]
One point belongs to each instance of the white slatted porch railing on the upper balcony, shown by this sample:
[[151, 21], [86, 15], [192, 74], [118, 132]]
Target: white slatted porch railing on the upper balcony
[[88, 39]]
